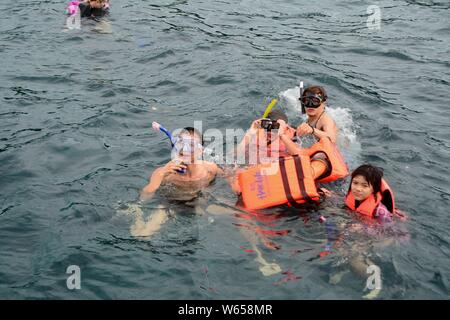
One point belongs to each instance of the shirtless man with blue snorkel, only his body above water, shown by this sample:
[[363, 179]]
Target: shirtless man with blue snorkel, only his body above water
[[186, 172]]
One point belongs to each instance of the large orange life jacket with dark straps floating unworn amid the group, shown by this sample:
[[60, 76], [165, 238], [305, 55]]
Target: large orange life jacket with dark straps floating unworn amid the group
[[290, 180]]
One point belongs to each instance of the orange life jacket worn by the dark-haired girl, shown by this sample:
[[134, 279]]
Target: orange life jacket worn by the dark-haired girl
[[367, 207]]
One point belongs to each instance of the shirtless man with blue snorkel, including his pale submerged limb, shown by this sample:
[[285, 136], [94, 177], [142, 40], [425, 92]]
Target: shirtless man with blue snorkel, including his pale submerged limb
[[182, 179]]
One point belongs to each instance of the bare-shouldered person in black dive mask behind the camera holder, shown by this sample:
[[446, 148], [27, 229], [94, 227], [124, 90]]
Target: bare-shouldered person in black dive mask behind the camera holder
[[319, 124]]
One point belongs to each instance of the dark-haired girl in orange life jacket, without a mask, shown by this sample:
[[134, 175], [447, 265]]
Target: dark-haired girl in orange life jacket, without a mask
[[370, 195]]
